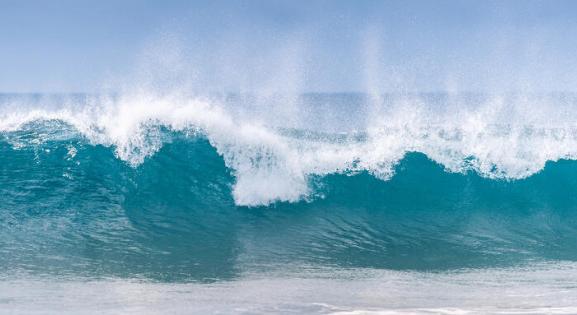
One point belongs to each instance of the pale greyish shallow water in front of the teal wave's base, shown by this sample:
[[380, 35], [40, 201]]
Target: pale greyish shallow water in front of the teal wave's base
[[538, 289]]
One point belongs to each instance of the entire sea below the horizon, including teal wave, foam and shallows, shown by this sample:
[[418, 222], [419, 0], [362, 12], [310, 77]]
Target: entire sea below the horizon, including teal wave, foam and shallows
[[141, 202]]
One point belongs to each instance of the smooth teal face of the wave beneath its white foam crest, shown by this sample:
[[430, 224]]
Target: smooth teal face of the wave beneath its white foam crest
[[64, 196]]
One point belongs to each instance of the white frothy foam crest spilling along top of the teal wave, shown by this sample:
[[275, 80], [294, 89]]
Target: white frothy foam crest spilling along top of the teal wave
[[499, 137]]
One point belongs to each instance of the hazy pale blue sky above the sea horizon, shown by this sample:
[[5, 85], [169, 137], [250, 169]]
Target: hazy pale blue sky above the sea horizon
[[84, 46]]
